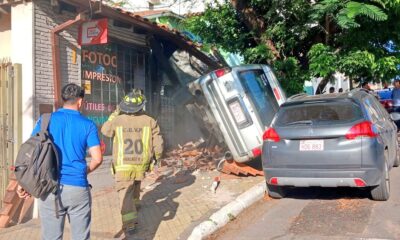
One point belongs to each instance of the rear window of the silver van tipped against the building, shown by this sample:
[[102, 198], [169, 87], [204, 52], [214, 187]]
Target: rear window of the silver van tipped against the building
[[257, 87]]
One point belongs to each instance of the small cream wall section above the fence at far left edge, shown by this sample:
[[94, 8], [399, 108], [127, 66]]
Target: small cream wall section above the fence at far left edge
[[5, 36]]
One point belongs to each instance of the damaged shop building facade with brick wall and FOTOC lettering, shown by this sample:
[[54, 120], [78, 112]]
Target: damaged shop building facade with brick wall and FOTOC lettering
[[42, 37]]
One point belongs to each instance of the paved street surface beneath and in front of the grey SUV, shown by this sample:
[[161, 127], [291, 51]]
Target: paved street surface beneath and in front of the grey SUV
[[320, 214]]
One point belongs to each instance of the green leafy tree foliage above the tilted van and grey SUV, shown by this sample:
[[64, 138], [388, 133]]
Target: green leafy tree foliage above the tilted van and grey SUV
[[308, 38]]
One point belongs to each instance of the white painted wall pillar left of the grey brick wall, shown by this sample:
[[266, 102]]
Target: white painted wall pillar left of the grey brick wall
[[22, 52]]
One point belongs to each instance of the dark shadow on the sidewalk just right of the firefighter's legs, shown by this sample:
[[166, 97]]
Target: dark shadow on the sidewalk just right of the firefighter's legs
[[160, 204]]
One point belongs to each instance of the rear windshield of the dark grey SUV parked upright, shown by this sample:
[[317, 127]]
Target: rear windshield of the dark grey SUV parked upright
[[319, 113]]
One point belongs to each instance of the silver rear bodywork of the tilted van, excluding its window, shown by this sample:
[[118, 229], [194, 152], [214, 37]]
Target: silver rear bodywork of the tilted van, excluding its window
[[224, 95]]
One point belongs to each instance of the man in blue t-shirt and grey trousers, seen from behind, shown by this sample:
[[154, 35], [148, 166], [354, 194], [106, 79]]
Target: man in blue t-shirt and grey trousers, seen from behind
[[72, 135]]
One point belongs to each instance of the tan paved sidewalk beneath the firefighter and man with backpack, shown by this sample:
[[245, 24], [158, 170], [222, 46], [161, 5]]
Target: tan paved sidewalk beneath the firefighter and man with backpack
[[170, 208]]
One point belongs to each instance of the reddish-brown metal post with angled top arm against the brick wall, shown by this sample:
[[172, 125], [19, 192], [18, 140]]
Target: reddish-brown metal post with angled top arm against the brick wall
[[55, 48]]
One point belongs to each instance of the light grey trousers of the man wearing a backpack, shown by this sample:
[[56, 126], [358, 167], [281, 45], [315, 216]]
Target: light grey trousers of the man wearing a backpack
[[74, 202]]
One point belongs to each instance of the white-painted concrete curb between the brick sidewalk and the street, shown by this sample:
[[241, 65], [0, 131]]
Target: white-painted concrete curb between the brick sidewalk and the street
[[228, 212]]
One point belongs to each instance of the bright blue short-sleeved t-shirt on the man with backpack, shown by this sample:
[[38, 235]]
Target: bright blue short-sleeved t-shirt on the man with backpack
[[72, 134]]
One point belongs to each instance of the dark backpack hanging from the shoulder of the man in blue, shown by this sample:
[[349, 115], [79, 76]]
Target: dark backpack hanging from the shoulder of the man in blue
[[37, 163]]
